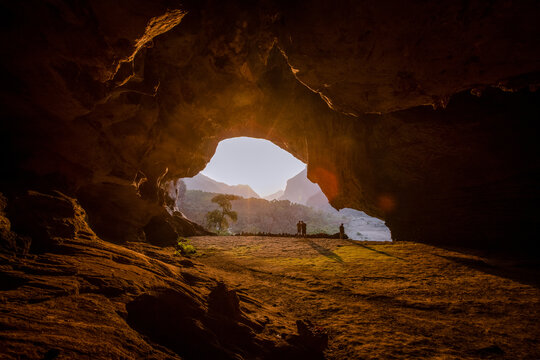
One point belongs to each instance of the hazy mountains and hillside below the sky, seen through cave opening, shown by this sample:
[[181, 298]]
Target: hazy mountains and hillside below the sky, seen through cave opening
[[278, 216]]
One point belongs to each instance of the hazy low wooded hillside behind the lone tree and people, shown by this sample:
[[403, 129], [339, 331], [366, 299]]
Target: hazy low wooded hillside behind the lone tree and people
[[261, 216]]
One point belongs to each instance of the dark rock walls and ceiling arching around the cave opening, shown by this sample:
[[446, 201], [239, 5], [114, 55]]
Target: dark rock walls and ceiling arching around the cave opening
[[423, 115]]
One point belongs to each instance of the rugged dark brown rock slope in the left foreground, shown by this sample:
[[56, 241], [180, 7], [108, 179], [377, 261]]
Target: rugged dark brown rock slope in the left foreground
[[85, 297]]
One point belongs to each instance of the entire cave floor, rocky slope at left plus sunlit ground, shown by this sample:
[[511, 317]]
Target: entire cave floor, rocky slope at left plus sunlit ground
[[87, 298]]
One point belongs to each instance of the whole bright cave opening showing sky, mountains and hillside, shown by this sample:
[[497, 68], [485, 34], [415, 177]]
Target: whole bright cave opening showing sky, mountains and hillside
[[273, 192]]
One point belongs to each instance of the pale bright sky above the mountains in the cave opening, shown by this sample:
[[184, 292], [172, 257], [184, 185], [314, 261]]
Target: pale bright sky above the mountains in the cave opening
[[256, 162]]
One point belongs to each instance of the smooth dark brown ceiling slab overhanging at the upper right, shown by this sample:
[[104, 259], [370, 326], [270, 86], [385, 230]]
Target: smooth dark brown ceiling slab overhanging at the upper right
[[364, 56]]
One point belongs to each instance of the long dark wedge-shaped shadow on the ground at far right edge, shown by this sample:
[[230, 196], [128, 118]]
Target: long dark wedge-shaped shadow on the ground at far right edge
[[527, 273]]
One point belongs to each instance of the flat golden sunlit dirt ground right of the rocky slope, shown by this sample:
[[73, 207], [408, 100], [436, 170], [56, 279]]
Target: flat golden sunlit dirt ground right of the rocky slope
[[384, 300]]
